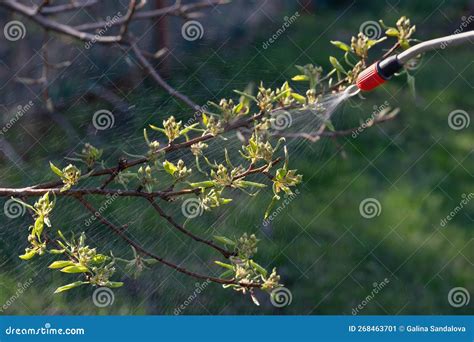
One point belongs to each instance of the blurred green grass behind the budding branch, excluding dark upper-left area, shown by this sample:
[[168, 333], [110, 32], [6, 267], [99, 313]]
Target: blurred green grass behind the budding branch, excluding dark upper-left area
[[328, 255]]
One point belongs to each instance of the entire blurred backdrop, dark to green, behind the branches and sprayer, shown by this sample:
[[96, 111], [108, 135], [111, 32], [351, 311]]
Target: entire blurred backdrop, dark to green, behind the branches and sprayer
[[329, 256]]
